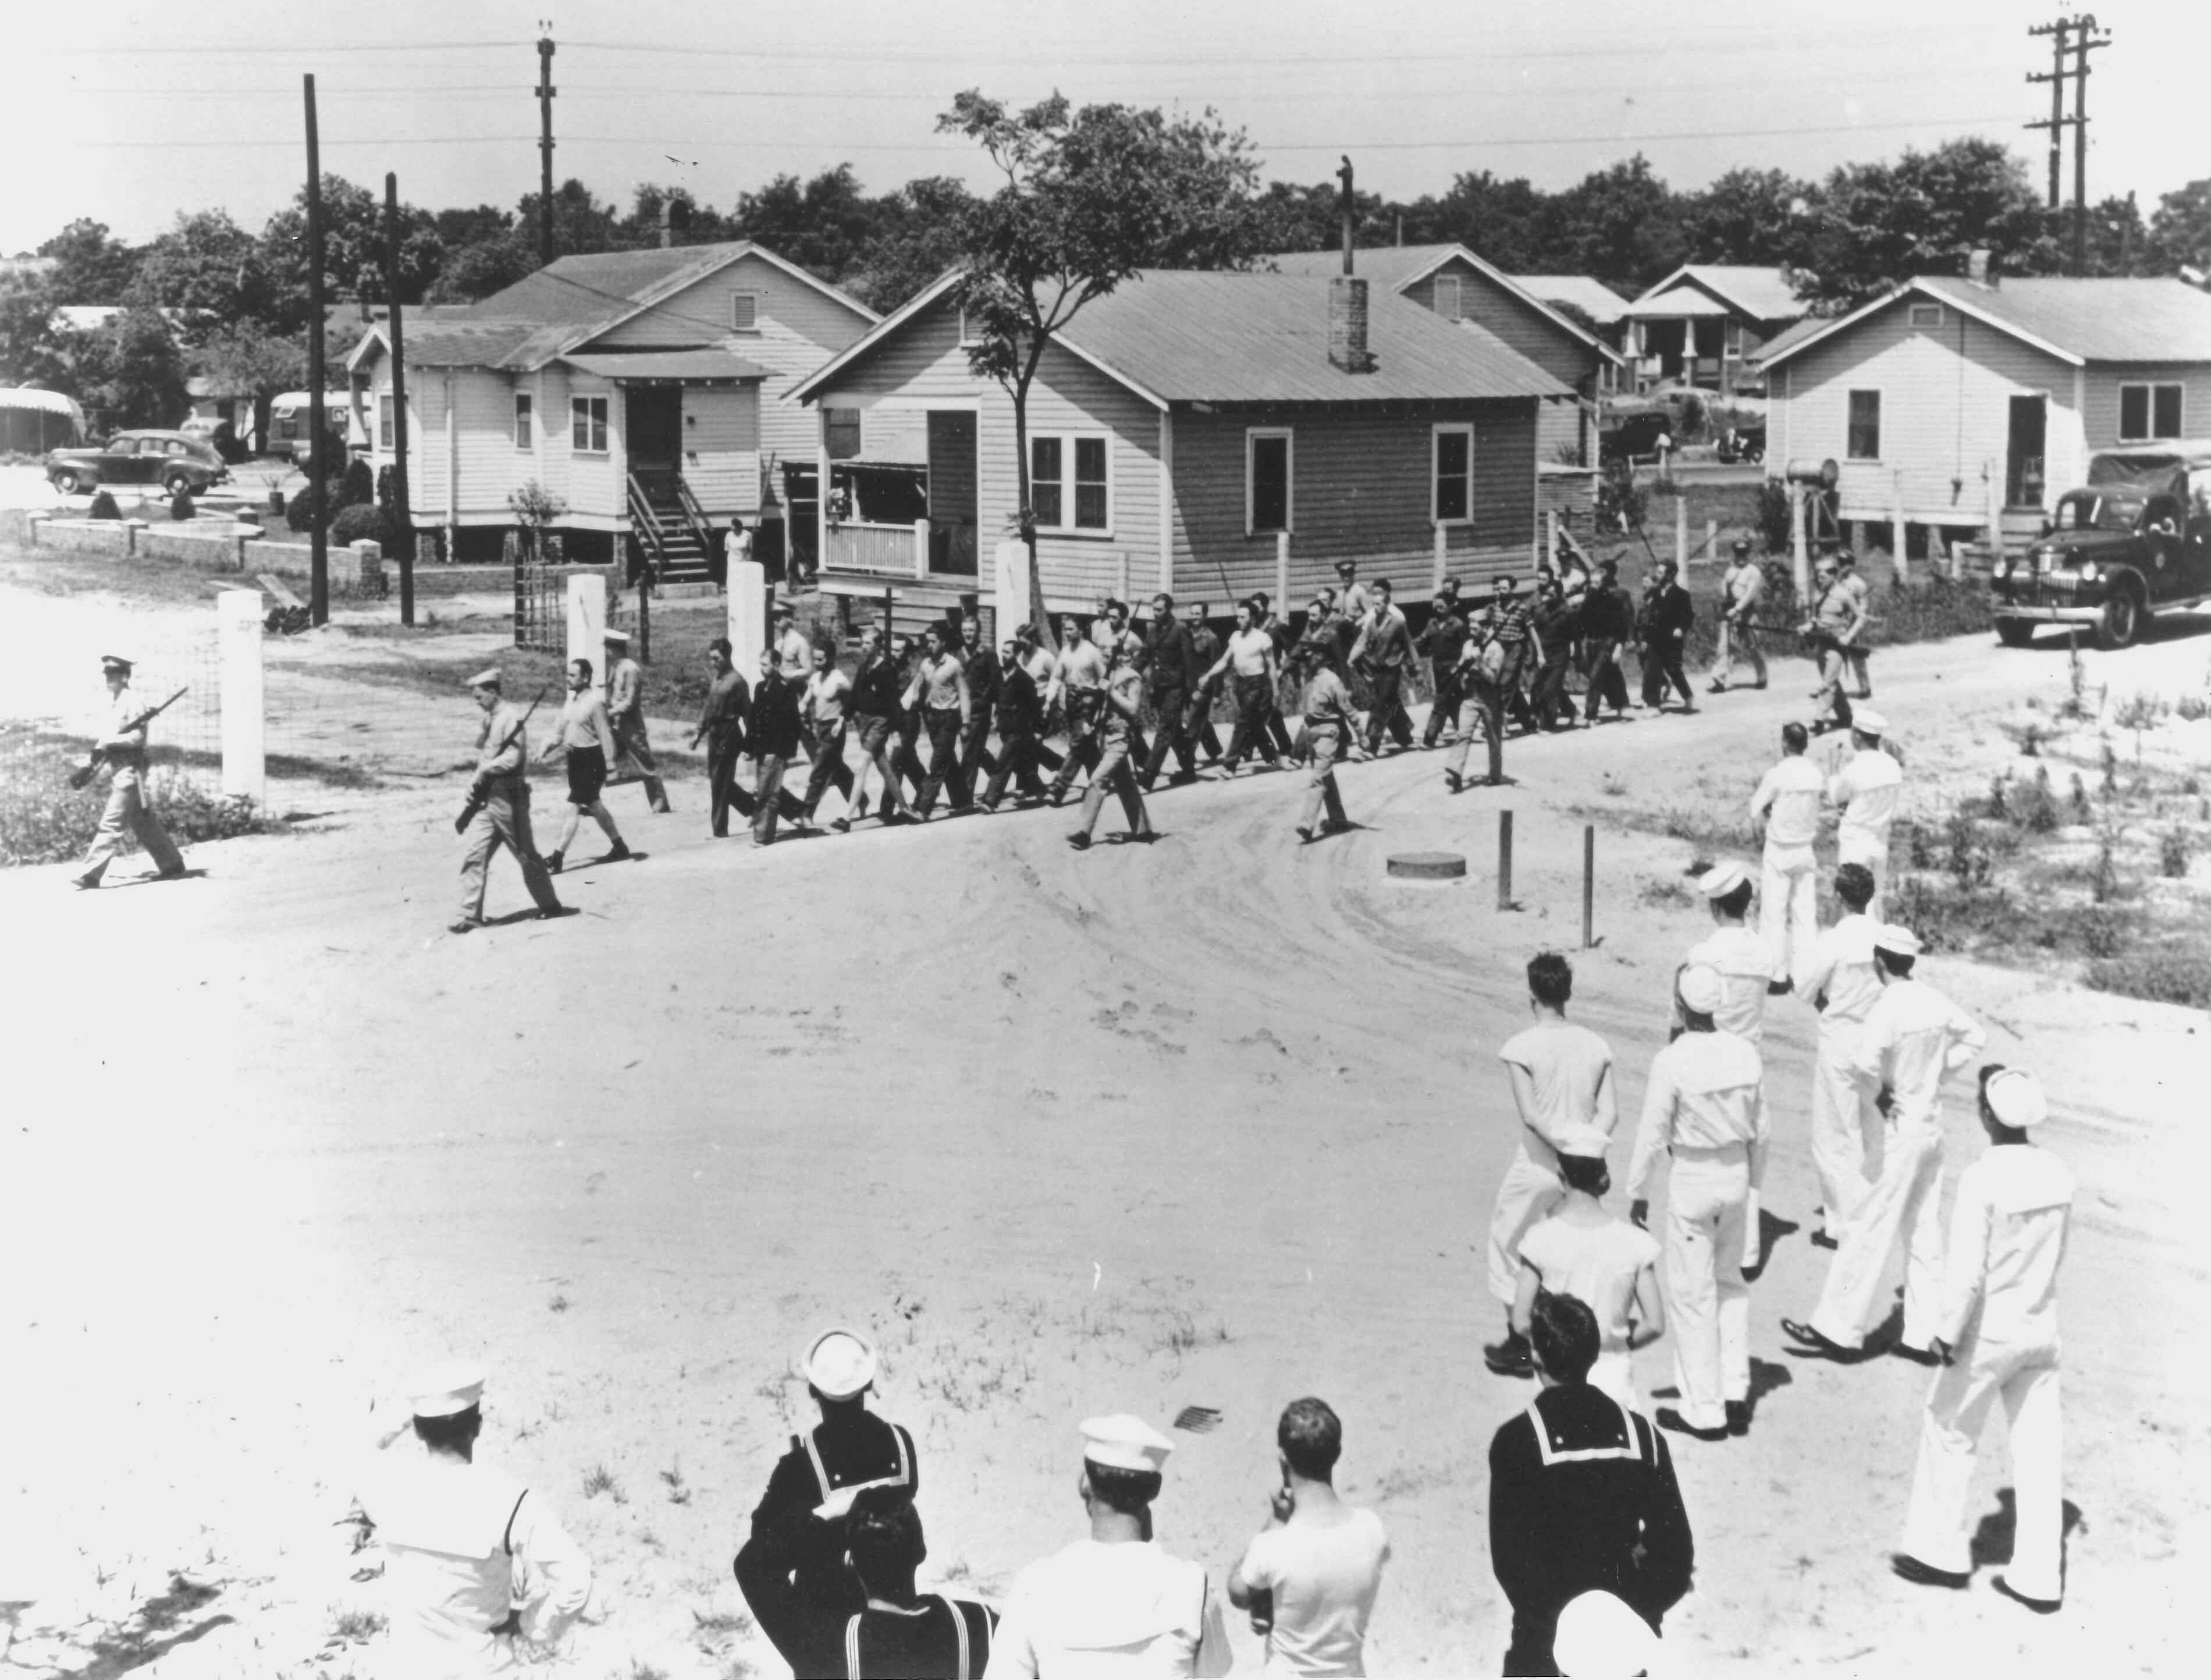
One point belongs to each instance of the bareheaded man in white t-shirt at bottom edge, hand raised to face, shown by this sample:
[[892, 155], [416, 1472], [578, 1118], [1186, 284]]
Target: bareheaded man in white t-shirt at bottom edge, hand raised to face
[[1312, 1575]]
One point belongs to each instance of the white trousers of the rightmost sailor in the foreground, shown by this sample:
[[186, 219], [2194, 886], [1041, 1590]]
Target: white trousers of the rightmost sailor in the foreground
[[1958, 1411]]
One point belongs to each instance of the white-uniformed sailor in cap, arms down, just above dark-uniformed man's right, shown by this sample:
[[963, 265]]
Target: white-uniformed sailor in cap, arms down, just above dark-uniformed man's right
[[1706, 1106]]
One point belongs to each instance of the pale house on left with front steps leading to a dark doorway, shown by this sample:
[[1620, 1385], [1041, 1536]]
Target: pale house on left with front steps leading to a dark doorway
[[647, 390]]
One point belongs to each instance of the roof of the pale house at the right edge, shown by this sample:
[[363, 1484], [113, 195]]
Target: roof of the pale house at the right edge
[[2075, 319]]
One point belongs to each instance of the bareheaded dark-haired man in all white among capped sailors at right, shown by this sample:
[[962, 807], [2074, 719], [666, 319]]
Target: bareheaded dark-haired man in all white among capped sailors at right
[[1845, 1128]]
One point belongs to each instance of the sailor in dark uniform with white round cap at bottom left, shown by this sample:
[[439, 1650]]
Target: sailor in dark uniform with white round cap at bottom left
[[793, 1571]]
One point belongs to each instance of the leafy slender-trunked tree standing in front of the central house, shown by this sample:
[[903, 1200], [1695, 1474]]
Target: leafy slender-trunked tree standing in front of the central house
[[1091, 198]]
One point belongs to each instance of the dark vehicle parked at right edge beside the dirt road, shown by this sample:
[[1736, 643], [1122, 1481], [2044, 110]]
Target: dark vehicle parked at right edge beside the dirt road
[[2133, 543]]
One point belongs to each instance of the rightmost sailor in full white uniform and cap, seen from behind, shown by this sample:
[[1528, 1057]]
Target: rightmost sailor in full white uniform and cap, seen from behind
[[1998, 1336]]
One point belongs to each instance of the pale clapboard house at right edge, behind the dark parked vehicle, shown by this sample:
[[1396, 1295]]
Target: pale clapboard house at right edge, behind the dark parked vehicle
[[1964, 403]]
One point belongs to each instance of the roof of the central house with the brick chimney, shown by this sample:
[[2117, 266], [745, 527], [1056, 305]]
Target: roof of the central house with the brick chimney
[[1228, 337]]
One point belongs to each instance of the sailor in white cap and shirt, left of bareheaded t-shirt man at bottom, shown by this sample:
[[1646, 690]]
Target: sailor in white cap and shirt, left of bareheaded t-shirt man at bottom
[[1113, 1604]]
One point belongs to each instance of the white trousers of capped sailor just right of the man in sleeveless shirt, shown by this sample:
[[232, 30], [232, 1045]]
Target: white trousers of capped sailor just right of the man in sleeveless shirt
[[1708, 1303]]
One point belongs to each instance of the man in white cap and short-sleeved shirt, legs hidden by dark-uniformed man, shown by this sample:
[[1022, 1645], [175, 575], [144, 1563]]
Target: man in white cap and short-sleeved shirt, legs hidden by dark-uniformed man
[[1597, 1259]]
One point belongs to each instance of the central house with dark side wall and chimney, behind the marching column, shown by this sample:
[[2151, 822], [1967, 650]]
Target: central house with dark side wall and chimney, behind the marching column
[[1204, 434]]
